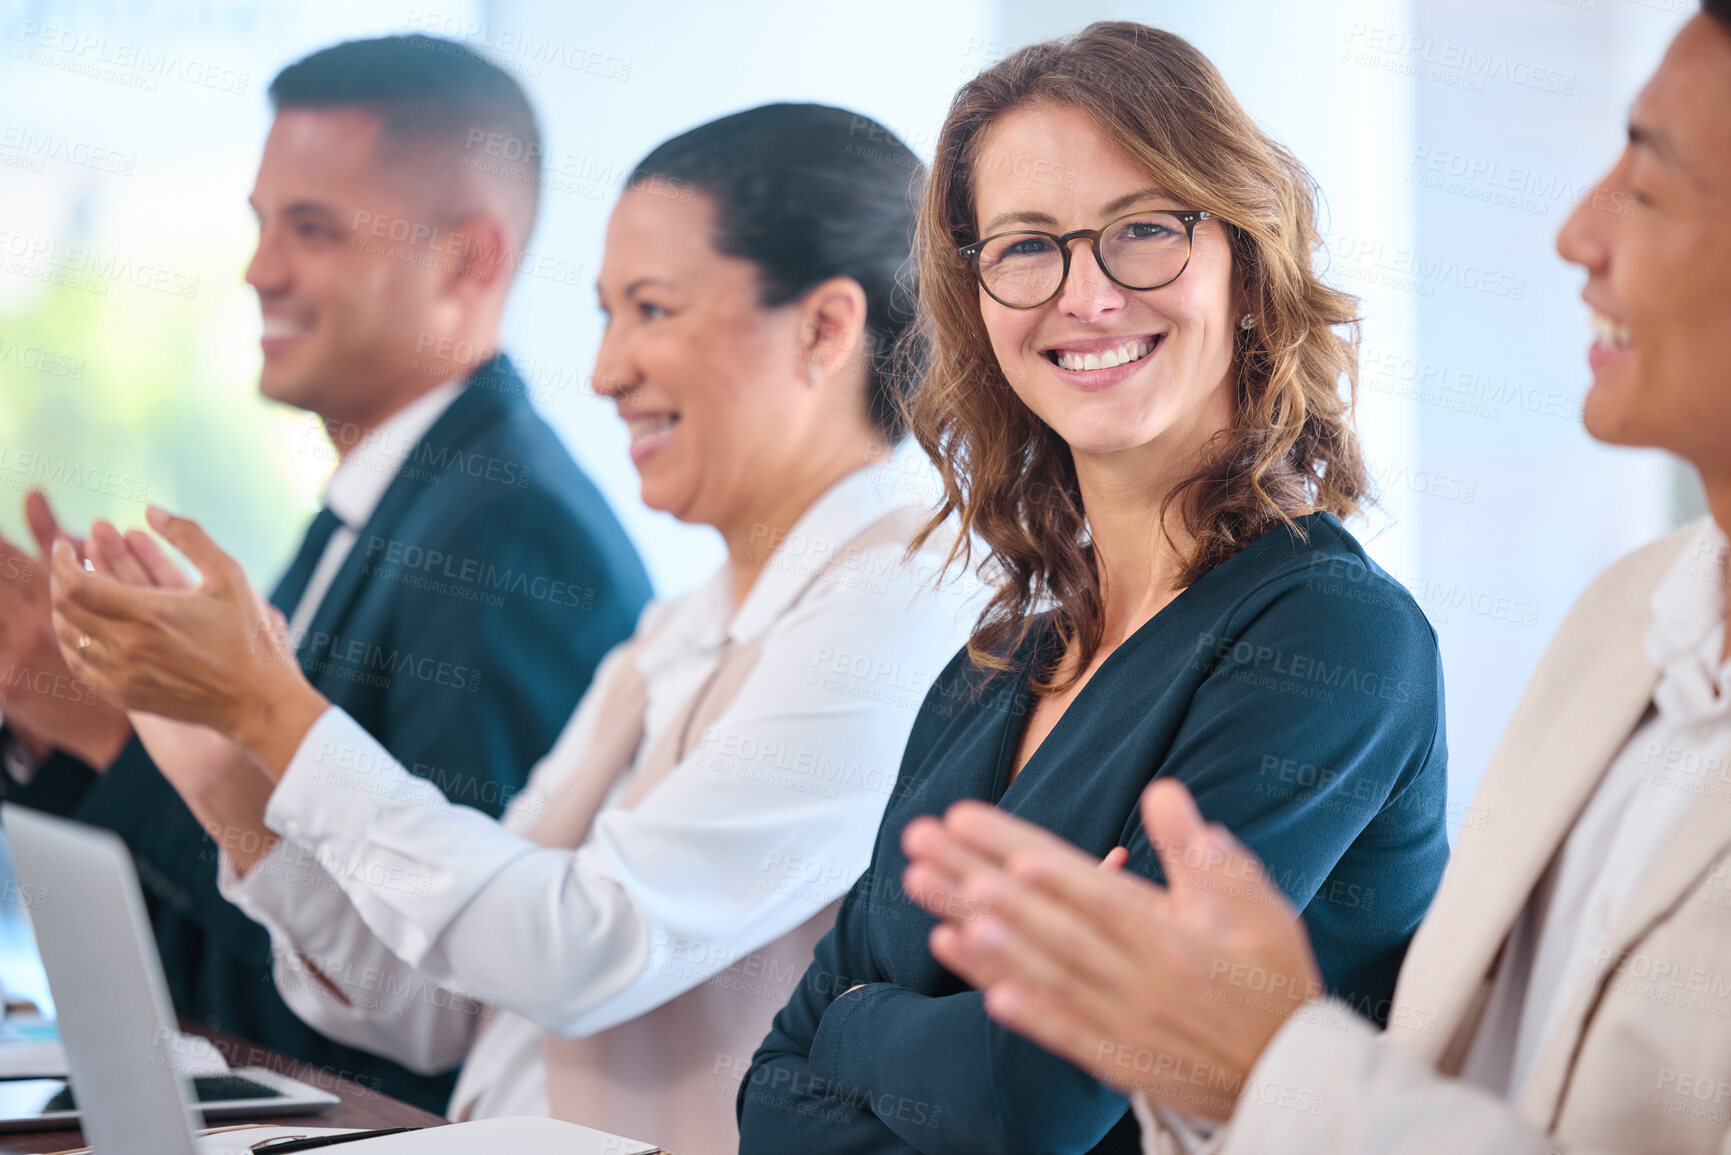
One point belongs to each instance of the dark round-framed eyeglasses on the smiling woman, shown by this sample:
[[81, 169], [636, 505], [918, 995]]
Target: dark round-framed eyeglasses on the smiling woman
[[1143, 250]]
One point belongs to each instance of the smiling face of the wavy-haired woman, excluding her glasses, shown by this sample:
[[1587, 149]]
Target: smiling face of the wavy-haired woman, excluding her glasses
[[1048, 167]]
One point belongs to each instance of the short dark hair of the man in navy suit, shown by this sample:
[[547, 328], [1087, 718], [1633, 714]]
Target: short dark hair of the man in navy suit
[[427, 91]]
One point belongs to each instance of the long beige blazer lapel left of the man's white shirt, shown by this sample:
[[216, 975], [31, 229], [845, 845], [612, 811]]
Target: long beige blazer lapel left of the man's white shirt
[[1576, 716]]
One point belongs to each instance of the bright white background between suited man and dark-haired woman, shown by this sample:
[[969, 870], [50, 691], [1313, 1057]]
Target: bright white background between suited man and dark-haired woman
[[667, 68]]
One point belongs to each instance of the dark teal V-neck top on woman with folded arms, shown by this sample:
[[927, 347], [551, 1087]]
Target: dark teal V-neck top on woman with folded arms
[[1297, 692]]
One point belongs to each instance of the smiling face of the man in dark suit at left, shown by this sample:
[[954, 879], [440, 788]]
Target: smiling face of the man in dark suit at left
[[344, 302]]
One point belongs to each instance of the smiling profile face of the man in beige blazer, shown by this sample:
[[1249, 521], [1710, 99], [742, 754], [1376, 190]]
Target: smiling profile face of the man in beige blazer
[[1657, 248]]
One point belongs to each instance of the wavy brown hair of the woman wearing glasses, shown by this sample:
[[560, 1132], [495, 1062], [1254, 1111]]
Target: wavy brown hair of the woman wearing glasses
[[1010, 477]]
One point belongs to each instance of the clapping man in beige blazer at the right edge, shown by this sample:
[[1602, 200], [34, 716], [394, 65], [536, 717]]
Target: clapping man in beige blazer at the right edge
[[1571, 986]]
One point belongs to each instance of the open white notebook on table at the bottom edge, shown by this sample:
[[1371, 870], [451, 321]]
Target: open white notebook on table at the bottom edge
[[512, 1135]]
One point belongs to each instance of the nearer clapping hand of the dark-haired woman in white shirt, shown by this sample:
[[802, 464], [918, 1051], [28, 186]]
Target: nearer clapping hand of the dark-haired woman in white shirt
[[209, 654]]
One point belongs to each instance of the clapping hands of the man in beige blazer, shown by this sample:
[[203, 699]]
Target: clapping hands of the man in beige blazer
[[1126, 979]]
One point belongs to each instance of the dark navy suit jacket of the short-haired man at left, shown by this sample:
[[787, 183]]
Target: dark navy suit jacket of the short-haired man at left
[[461, 631]]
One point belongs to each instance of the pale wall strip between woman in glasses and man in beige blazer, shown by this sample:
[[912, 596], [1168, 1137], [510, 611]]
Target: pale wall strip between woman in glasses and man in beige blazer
[[1496, 167]]
